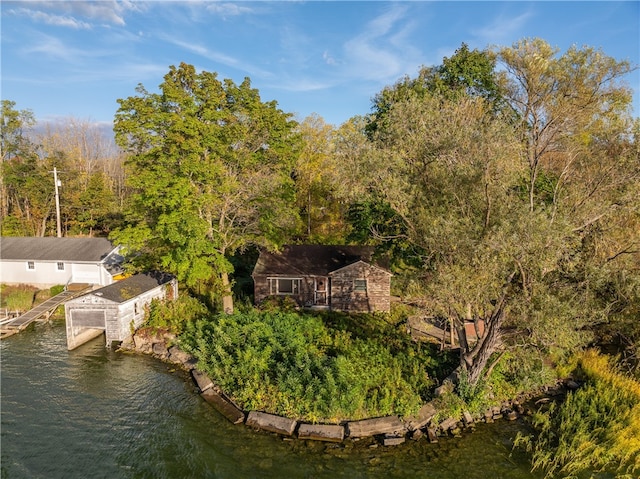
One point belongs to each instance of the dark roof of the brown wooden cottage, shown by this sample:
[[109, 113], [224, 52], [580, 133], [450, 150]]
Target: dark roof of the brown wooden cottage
[[312, 260]]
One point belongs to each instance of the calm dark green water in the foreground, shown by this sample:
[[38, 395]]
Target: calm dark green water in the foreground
[[93, 413]]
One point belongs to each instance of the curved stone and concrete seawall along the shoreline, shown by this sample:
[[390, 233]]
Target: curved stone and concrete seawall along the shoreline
[[388, 431]]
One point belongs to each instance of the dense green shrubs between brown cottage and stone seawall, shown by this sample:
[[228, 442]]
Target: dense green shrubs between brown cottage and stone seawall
[[293, 364]]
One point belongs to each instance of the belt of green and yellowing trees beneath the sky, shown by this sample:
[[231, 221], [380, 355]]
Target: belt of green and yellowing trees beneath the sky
[[503, 184]]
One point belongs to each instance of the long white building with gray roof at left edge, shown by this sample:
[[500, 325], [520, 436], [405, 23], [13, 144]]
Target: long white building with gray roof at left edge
[[48, 261]]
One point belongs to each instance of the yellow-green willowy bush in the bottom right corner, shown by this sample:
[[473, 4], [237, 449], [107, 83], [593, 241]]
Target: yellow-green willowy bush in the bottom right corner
[[597, 427]]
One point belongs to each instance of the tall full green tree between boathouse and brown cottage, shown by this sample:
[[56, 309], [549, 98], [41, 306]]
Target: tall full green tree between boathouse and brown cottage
[[210, 165]]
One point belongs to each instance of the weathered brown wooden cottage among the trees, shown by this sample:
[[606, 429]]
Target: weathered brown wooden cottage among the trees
[[341, 278]]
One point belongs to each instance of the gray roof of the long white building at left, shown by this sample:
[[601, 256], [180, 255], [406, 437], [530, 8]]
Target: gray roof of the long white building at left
[[89, 250]]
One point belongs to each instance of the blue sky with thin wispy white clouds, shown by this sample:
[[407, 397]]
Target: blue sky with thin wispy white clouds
[[76, 58]]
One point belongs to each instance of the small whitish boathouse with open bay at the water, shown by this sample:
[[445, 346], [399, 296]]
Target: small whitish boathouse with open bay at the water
[[117, 309]]
